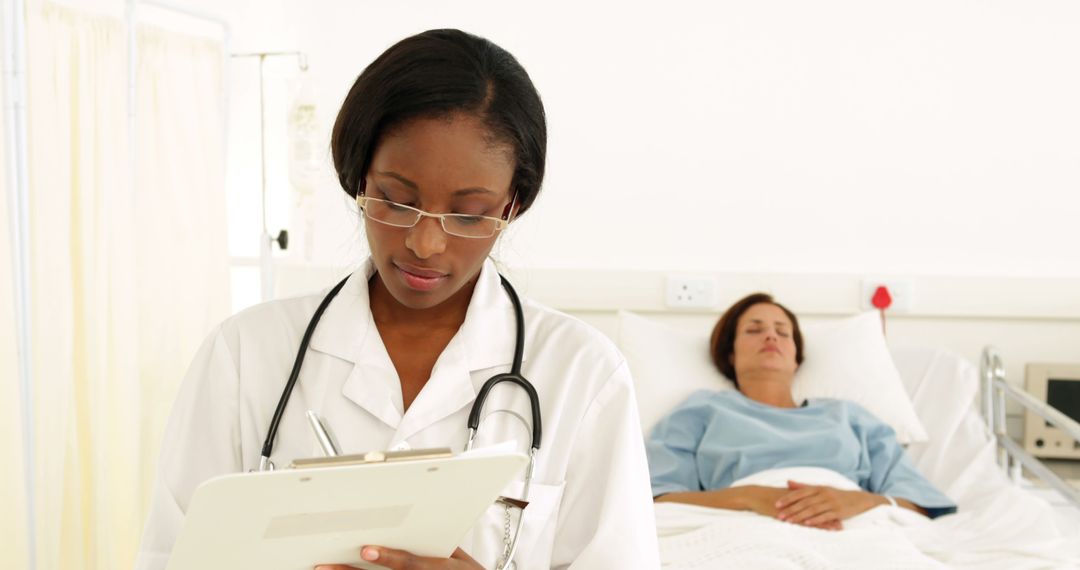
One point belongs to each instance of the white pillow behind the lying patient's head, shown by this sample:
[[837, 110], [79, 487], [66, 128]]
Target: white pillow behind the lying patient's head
[[845, 360]]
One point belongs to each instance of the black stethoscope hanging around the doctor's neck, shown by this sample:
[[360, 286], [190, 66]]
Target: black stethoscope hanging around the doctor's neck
[[515, 376]]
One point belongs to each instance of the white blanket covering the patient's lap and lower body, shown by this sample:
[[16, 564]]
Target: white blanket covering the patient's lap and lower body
[[885, 537]]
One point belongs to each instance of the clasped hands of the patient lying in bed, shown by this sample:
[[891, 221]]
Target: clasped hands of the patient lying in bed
[[818, 506]]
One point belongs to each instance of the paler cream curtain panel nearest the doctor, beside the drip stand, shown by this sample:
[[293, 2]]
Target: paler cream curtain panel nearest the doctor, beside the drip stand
[[183, 254]]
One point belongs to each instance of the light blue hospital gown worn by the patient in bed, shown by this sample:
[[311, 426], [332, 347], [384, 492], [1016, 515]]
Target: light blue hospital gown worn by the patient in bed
[[715, 439]]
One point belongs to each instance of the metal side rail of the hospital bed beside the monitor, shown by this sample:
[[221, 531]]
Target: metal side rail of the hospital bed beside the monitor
[[1012, 456]]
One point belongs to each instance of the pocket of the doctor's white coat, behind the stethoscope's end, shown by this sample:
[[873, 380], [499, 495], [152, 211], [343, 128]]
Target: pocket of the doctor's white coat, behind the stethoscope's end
[[538, 531]]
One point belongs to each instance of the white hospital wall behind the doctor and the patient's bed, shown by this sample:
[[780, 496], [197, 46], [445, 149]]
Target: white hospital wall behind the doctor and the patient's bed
[[842, 140]]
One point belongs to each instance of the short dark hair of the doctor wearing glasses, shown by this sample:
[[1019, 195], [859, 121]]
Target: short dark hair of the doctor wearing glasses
[[438, 74]]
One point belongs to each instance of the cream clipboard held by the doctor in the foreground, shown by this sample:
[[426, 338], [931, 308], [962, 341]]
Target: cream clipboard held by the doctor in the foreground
[[323, 511]]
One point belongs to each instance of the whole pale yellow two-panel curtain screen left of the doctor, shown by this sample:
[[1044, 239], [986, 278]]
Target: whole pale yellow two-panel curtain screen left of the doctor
[[126, 276]]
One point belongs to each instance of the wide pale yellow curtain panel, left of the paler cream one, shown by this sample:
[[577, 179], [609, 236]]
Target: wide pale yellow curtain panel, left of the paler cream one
[[83, 275]]
